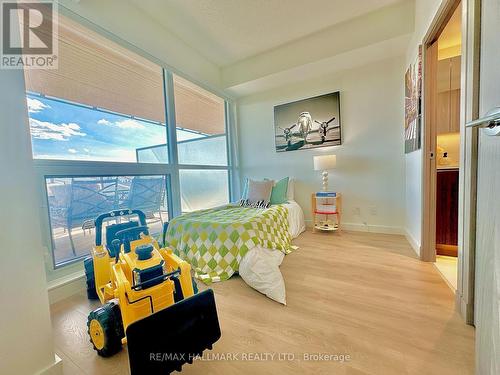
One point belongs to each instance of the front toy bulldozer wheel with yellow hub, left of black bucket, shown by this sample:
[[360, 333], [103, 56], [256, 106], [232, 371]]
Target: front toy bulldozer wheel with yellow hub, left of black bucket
[[105, 329]]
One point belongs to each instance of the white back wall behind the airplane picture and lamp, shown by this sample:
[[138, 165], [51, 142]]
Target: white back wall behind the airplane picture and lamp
[[370, 162]]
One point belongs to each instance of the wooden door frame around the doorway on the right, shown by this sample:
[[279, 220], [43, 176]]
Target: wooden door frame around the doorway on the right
[[469, 105]]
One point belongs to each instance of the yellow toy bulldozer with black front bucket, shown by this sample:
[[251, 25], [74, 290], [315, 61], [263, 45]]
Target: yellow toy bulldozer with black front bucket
[[149, 299]]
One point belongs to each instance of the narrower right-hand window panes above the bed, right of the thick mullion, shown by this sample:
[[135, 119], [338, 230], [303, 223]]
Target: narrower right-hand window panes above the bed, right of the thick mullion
[[201, 141]]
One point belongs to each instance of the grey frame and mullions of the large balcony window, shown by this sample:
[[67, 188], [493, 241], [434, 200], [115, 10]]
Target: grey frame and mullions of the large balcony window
[[79, 168]]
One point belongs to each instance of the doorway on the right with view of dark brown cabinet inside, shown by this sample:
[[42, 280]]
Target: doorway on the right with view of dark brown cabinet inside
[[442, 137]]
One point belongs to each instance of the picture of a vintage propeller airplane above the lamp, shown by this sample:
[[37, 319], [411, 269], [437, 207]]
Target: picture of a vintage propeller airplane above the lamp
[[308, 123]]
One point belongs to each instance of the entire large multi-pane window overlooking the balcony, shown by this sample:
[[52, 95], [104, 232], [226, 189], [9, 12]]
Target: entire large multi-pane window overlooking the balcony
[[101, 140]]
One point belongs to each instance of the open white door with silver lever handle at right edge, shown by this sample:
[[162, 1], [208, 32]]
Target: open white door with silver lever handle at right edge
[[487, 261]]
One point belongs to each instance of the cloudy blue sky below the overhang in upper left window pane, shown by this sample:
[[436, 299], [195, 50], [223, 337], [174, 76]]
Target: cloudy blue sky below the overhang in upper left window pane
[[68, 131]]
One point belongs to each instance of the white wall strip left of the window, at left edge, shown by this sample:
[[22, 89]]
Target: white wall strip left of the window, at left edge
[[25, 331]]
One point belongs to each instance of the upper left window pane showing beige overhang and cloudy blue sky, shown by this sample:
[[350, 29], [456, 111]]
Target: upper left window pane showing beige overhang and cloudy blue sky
[[103, 103]]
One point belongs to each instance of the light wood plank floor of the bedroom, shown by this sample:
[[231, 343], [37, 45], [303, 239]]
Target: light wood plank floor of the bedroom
[[358, 294]]
